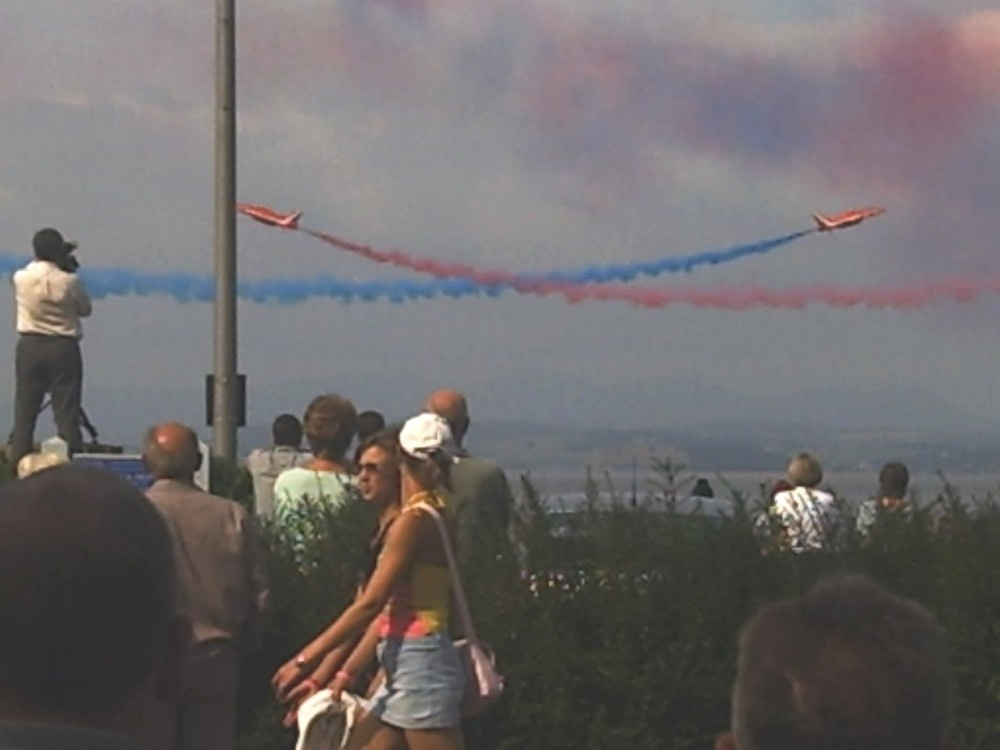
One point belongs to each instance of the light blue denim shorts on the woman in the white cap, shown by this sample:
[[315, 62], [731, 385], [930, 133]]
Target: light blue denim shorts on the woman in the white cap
[[424, 681]]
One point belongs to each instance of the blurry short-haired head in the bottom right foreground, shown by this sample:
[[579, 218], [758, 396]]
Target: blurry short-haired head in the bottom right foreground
[[849, 666]]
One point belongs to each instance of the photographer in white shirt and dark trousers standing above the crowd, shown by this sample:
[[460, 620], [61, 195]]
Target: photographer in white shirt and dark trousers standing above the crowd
[[51, 299]]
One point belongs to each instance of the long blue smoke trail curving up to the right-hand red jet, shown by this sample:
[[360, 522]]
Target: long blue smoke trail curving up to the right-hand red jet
[[189, 287]]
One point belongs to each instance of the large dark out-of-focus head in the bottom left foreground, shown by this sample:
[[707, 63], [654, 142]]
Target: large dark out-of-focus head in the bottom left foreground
[[86, 594]]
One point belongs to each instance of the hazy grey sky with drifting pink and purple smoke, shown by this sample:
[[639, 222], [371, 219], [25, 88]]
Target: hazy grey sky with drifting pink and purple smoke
[[522, 135]]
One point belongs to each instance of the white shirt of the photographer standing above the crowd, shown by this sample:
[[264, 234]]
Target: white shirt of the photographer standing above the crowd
[[50, 301]]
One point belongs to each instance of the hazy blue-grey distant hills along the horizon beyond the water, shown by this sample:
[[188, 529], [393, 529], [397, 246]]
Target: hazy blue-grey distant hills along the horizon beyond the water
[[703, 427]]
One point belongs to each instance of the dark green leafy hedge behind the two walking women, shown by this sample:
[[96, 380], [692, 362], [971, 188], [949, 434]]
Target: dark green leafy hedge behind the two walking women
[[618, 629]]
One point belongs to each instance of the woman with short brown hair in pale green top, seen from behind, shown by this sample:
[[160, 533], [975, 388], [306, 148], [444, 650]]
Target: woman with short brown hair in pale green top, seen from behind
[[324, 483]]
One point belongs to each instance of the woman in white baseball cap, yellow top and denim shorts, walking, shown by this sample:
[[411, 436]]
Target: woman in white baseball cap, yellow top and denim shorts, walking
[[407, 599]]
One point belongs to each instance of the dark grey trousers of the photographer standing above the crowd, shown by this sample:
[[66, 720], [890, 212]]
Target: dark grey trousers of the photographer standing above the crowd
[[47, 364]]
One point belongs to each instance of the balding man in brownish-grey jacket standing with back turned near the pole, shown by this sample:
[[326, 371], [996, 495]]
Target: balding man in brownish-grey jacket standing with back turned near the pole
[[223, 589]]
